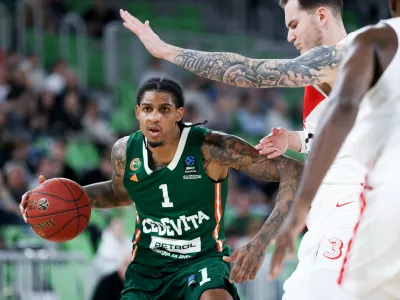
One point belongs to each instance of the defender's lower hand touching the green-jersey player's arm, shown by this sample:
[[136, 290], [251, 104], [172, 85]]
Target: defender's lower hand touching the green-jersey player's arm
[[274, 144]]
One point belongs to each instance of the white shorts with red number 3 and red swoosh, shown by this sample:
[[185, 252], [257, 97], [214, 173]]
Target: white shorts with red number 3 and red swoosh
[[331, 222]]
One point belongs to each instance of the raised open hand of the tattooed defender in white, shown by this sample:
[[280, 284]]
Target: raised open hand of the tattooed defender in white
[[150, 40]]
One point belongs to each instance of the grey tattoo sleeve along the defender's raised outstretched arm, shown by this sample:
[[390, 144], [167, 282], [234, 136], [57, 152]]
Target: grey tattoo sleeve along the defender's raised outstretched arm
[[313, 67]]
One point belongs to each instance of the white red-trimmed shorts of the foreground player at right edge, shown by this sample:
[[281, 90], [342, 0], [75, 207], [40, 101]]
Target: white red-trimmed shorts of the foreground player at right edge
[[374, 257]]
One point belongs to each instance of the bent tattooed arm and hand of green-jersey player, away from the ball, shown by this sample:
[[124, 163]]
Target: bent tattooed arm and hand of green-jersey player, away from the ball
[[222, 151]]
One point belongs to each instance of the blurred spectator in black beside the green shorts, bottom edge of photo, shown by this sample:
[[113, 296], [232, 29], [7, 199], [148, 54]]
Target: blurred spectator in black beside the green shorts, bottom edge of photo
[[111, 285]]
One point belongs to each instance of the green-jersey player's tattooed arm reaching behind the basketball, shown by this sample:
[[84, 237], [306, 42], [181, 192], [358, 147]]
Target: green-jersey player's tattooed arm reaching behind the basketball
[[111, 193]]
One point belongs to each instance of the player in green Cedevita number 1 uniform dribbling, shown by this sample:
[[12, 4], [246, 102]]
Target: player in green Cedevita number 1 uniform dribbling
[[176, 175]]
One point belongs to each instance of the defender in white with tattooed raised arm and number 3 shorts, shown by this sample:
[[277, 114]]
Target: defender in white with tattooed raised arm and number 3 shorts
[[311, 24]]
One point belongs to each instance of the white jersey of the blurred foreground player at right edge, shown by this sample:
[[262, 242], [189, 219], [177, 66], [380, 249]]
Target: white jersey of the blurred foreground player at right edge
[[379, 115]]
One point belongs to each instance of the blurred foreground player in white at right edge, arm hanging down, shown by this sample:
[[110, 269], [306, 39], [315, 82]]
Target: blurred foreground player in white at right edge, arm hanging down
[[369, 116]]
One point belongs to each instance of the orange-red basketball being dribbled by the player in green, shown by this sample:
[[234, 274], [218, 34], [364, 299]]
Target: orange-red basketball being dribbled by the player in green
[[58, 210]]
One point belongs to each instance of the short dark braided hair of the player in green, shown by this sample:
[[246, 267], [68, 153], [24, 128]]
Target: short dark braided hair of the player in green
[[161, 84]]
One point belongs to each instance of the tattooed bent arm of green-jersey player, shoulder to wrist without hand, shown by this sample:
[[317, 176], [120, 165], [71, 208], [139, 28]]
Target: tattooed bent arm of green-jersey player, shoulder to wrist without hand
[[233, 152]]
